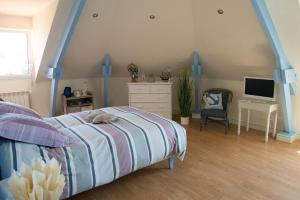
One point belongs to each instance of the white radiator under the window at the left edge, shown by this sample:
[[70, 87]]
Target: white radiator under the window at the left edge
[[22, 98]]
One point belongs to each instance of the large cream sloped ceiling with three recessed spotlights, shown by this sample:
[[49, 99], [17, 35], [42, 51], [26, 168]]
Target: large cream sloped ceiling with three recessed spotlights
[[231, 45]]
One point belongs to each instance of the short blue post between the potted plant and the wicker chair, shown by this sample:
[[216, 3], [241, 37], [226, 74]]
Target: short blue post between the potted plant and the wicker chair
[[196, 69]]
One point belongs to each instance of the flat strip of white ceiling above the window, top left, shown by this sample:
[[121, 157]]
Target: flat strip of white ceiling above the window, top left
[[22, 7]]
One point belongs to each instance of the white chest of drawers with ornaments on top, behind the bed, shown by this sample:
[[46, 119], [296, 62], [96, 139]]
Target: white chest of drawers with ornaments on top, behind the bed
[[151, 97]]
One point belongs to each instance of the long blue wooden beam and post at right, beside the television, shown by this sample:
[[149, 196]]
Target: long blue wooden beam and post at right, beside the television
[[284, 74]]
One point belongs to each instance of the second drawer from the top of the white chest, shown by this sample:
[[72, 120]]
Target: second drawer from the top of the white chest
[[149, 98]]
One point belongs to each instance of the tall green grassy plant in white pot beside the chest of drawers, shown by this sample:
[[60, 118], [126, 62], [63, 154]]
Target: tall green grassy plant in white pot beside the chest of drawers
[[184, 95]]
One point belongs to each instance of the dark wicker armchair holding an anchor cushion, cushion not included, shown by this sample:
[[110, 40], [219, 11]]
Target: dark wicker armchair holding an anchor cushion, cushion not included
[[216, 114]]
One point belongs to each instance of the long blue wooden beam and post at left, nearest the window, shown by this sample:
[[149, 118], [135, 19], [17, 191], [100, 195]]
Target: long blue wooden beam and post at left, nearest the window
[[55, 71]]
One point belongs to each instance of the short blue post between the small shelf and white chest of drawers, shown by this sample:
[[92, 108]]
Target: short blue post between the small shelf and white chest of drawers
[[106, 72]]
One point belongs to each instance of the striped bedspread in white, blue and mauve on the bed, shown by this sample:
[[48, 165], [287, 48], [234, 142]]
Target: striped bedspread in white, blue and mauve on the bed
[[103, 152]]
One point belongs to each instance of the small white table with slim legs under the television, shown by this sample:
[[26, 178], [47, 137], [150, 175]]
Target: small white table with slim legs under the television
[[267, 107]]
